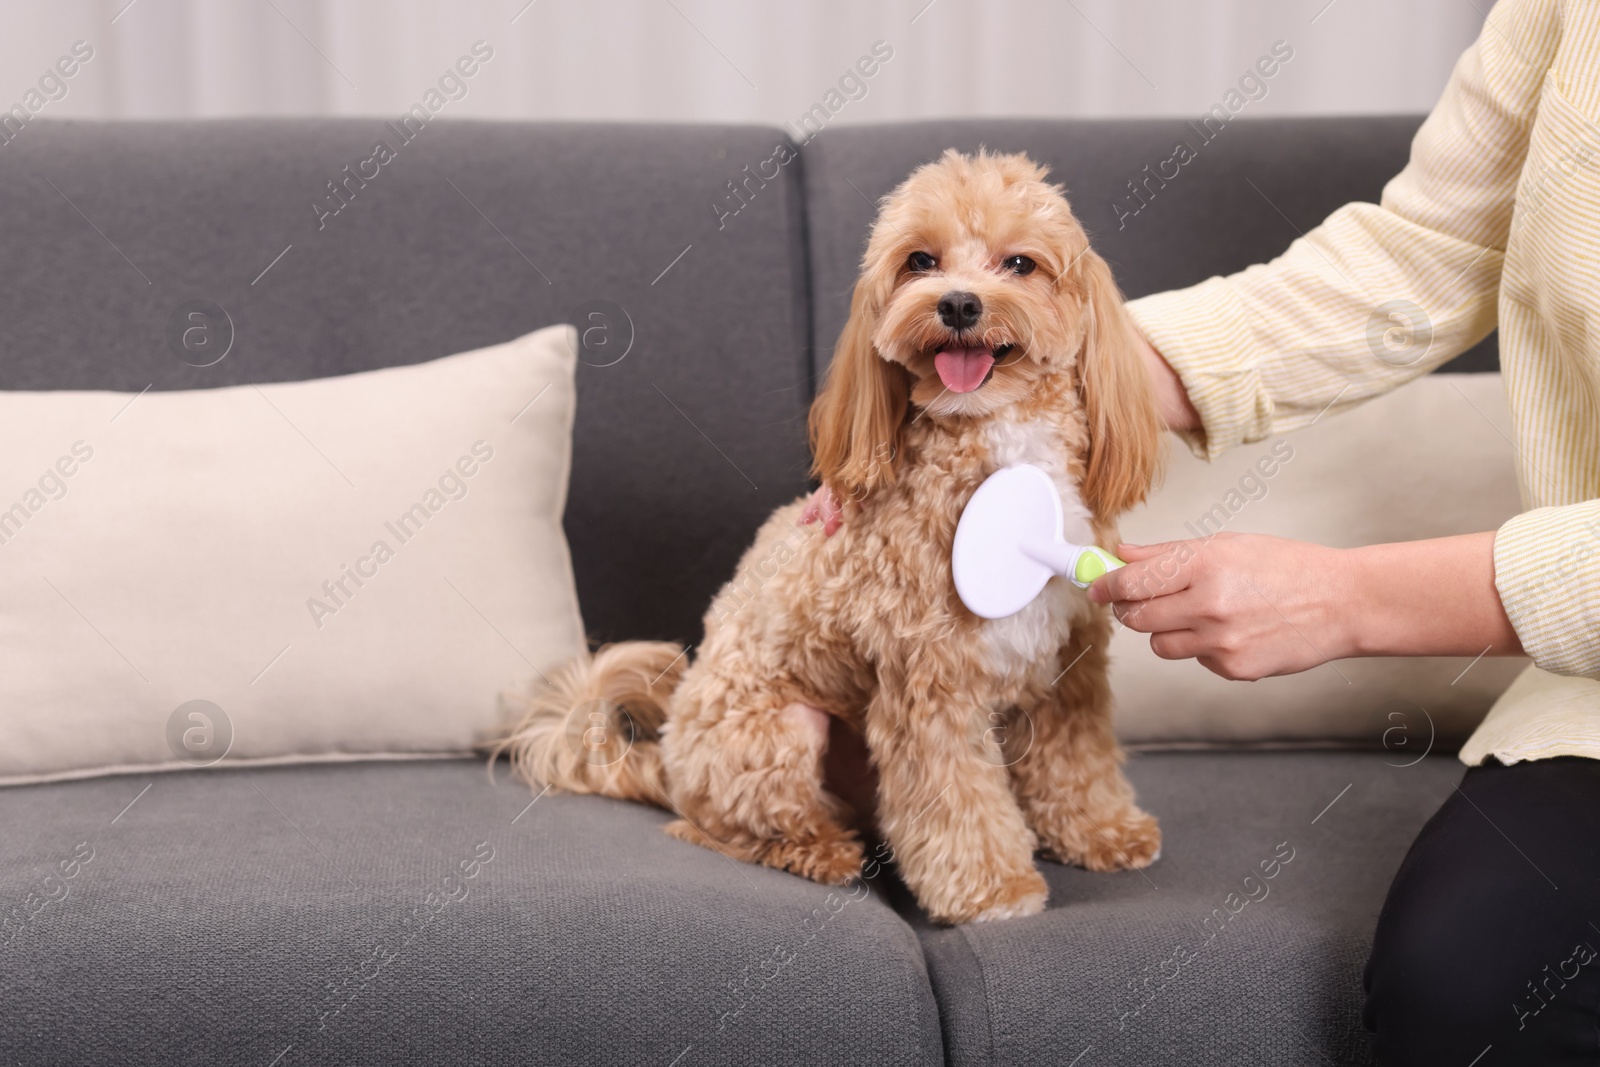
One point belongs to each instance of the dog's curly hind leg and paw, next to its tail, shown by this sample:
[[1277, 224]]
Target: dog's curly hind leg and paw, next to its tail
[[746, 775]]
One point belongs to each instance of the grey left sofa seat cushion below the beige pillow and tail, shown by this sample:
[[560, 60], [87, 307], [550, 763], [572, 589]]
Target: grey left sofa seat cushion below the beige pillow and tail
[[417, 914]]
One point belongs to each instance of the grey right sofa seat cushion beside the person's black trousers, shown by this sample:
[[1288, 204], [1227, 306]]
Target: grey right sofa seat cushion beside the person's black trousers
[[1158, 969]]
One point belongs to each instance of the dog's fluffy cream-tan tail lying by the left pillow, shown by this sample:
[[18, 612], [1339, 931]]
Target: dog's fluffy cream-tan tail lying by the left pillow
[[596, 727]]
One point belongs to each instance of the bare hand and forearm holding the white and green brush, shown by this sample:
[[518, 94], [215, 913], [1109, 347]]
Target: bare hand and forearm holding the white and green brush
[[1250, 607]]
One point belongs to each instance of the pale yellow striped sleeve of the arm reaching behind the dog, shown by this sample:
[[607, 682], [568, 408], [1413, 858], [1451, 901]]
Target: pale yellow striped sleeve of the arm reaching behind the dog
[[1378, 295]]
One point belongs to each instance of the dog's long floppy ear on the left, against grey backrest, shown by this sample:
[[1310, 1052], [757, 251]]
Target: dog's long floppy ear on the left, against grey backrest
[[857, 420]]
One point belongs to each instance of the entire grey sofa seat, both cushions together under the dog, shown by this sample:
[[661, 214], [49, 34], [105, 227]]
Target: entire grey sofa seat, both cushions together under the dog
[[225, 917]]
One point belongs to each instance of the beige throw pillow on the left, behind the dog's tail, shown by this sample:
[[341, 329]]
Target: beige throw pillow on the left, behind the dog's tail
[[326, 570]]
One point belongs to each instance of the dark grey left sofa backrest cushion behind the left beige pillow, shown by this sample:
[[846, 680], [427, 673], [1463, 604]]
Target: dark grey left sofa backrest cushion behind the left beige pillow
[[473, 234]]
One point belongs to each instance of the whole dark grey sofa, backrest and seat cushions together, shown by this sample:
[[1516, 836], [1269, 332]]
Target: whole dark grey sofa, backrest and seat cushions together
[[268, 916]]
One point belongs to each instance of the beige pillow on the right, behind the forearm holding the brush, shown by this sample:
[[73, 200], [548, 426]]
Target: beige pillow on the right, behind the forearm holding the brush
[[1425, 462]]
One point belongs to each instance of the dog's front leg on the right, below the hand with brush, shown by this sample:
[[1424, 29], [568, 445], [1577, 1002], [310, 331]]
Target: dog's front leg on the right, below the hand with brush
[[1066, 767]]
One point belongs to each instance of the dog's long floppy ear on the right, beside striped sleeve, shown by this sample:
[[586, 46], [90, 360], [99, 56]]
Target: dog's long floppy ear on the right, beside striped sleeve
[[1126, 430]]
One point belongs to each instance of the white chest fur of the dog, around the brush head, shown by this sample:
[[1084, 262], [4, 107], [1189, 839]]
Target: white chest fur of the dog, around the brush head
[[1026, 642]]
